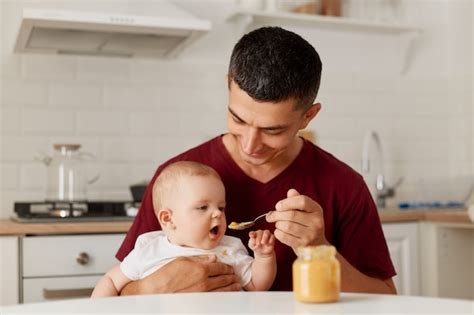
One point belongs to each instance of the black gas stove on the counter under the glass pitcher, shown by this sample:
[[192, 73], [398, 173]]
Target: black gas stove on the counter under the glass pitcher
[[59, 211]]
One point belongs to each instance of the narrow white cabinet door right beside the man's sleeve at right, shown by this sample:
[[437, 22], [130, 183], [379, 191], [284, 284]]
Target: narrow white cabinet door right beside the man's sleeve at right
[[402, 241]]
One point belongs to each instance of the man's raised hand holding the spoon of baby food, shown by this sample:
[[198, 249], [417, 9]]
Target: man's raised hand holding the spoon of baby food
[[298, 221]]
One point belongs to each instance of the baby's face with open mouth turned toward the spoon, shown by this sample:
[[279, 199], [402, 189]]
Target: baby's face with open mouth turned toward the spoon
[[198, 206]]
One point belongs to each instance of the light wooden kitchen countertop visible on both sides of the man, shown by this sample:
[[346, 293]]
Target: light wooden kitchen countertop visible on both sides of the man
[[8, 227]]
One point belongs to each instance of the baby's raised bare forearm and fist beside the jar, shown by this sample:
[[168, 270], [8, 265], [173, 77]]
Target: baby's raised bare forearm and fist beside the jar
[[264, 265]]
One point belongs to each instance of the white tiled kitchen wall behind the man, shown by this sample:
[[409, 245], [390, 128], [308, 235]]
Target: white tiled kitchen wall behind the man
[[135, 113]]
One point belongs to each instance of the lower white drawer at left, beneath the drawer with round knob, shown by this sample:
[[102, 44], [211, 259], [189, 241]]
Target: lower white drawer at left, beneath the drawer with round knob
[[50, 289]]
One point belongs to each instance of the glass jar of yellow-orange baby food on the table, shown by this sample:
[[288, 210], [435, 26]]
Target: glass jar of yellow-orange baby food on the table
[[316, 274]]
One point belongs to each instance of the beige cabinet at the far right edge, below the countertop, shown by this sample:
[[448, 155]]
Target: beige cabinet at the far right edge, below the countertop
[[447, 260]]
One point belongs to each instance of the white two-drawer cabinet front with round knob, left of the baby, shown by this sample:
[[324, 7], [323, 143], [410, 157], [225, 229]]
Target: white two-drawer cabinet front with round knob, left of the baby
[[64, 266]]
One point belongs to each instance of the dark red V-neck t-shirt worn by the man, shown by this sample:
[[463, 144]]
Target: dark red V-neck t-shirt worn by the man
[[352, 223]]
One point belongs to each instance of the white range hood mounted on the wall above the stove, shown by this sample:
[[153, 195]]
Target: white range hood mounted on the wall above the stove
[[128, 31]]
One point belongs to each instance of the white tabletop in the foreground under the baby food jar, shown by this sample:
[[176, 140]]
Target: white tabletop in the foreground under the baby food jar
[[248, 303]]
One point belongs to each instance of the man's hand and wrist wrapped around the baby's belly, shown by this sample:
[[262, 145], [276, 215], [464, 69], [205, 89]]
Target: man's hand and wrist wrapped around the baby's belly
[[187, 274]]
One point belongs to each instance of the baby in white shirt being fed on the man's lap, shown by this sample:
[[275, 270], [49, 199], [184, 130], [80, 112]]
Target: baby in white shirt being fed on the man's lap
[[189, 203]]
